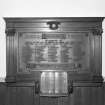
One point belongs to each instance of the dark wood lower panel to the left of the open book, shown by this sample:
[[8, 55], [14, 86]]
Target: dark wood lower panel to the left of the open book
[[20, 96]]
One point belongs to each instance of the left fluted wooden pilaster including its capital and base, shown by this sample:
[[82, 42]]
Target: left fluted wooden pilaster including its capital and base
[[10, 56]]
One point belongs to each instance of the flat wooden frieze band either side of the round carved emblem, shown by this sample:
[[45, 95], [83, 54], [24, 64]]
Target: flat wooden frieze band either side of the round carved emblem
[[45, 25]]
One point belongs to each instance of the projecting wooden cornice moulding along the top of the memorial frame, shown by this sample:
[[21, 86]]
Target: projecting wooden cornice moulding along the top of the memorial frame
[[46, 19]]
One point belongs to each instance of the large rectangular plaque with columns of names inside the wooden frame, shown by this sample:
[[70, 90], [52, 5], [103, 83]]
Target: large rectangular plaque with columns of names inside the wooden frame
[[53, 51]]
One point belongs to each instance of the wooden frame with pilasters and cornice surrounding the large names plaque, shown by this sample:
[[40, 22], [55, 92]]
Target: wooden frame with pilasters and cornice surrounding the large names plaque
[[92, 26]]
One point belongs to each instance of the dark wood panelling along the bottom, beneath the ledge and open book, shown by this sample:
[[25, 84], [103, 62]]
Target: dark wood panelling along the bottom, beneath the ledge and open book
[[25, 95]]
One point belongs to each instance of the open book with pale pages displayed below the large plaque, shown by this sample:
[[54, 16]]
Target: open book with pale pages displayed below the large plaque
[[54, 83]]
